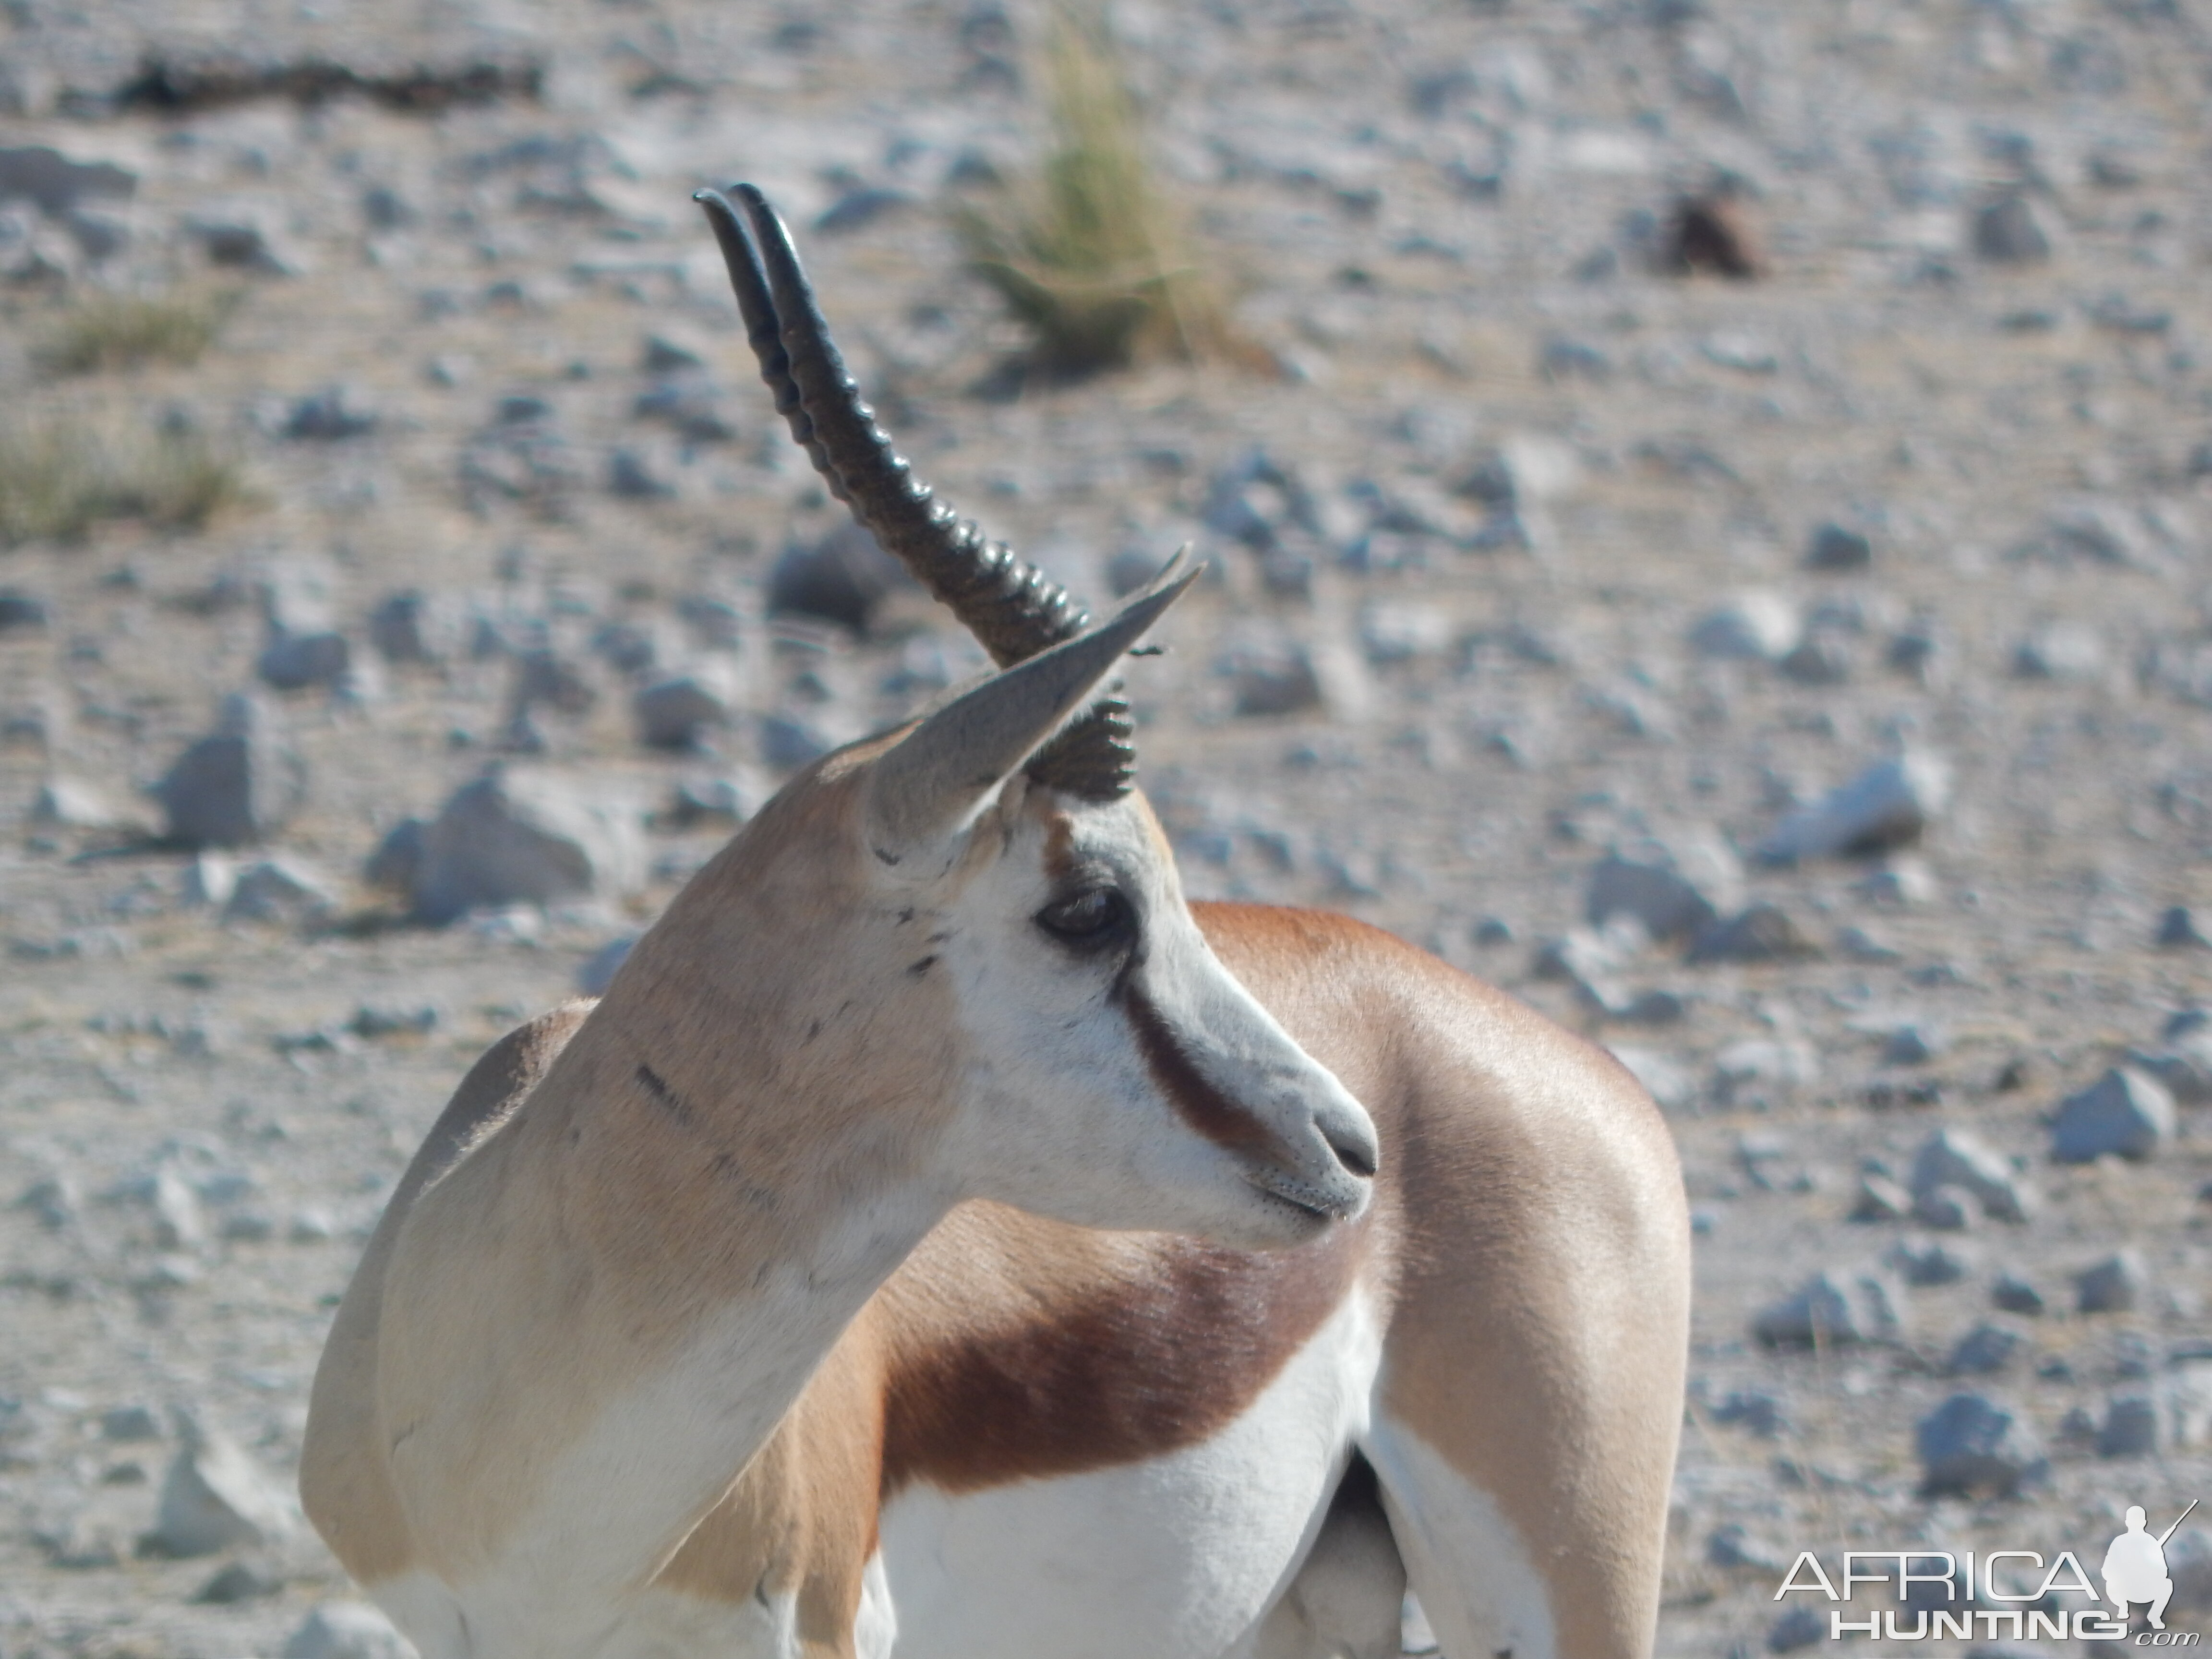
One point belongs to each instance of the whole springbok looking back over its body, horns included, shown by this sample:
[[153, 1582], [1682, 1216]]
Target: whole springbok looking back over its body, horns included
[[943, 1240]]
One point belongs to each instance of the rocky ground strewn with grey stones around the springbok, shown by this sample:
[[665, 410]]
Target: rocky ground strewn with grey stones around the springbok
[[1802, 685]]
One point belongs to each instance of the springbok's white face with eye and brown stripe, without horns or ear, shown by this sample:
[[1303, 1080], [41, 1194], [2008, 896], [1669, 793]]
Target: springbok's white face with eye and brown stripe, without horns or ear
[[1120, 1078]]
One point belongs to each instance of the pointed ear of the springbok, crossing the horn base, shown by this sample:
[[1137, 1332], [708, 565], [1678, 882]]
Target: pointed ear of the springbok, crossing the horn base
[[946, 769]]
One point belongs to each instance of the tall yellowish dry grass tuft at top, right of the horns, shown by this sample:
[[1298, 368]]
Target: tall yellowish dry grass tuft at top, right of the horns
[[1089, 253]]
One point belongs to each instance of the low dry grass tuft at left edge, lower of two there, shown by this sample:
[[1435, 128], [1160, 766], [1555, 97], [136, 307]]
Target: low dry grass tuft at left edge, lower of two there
[[63, 479]]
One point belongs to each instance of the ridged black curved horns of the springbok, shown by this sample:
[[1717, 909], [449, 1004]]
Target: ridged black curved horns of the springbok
[[1010, 605]]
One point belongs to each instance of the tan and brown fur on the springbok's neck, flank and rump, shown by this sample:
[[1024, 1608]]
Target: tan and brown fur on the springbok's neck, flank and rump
[[605, 1182]]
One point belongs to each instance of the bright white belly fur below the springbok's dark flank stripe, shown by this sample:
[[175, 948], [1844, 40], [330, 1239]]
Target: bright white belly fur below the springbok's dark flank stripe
[[1173, 1558]]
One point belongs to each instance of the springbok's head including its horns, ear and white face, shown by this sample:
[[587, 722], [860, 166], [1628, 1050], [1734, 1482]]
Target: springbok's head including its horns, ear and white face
[[1112, 1072]]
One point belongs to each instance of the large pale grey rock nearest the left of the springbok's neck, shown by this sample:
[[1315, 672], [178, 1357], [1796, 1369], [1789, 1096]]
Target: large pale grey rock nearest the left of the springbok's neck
[[528, 837]]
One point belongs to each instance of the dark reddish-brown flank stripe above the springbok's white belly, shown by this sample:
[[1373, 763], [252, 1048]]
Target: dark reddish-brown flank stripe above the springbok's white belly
[[1142, 1366]]
